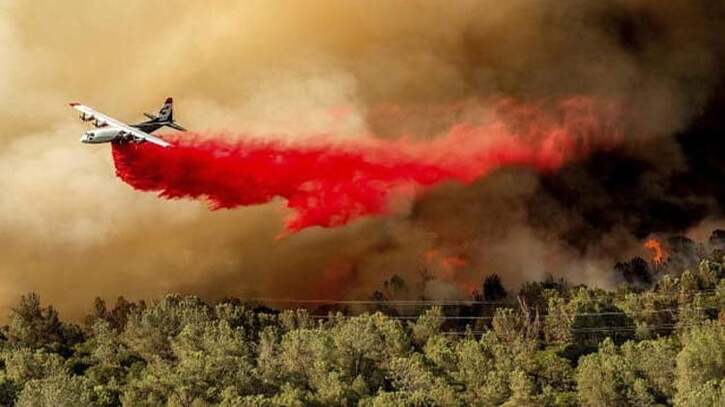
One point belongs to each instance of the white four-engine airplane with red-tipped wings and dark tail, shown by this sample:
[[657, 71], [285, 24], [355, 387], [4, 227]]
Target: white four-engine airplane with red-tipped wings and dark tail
[[109, 130]]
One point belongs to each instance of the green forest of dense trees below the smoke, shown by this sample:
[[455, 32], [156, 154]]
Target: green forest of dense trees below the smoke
[[658, 339]]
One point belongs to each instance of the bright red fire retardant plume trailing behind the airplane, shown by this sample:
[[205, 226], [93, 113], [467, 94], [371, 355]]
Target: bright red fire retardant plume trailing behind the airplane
[[328, 182]]
